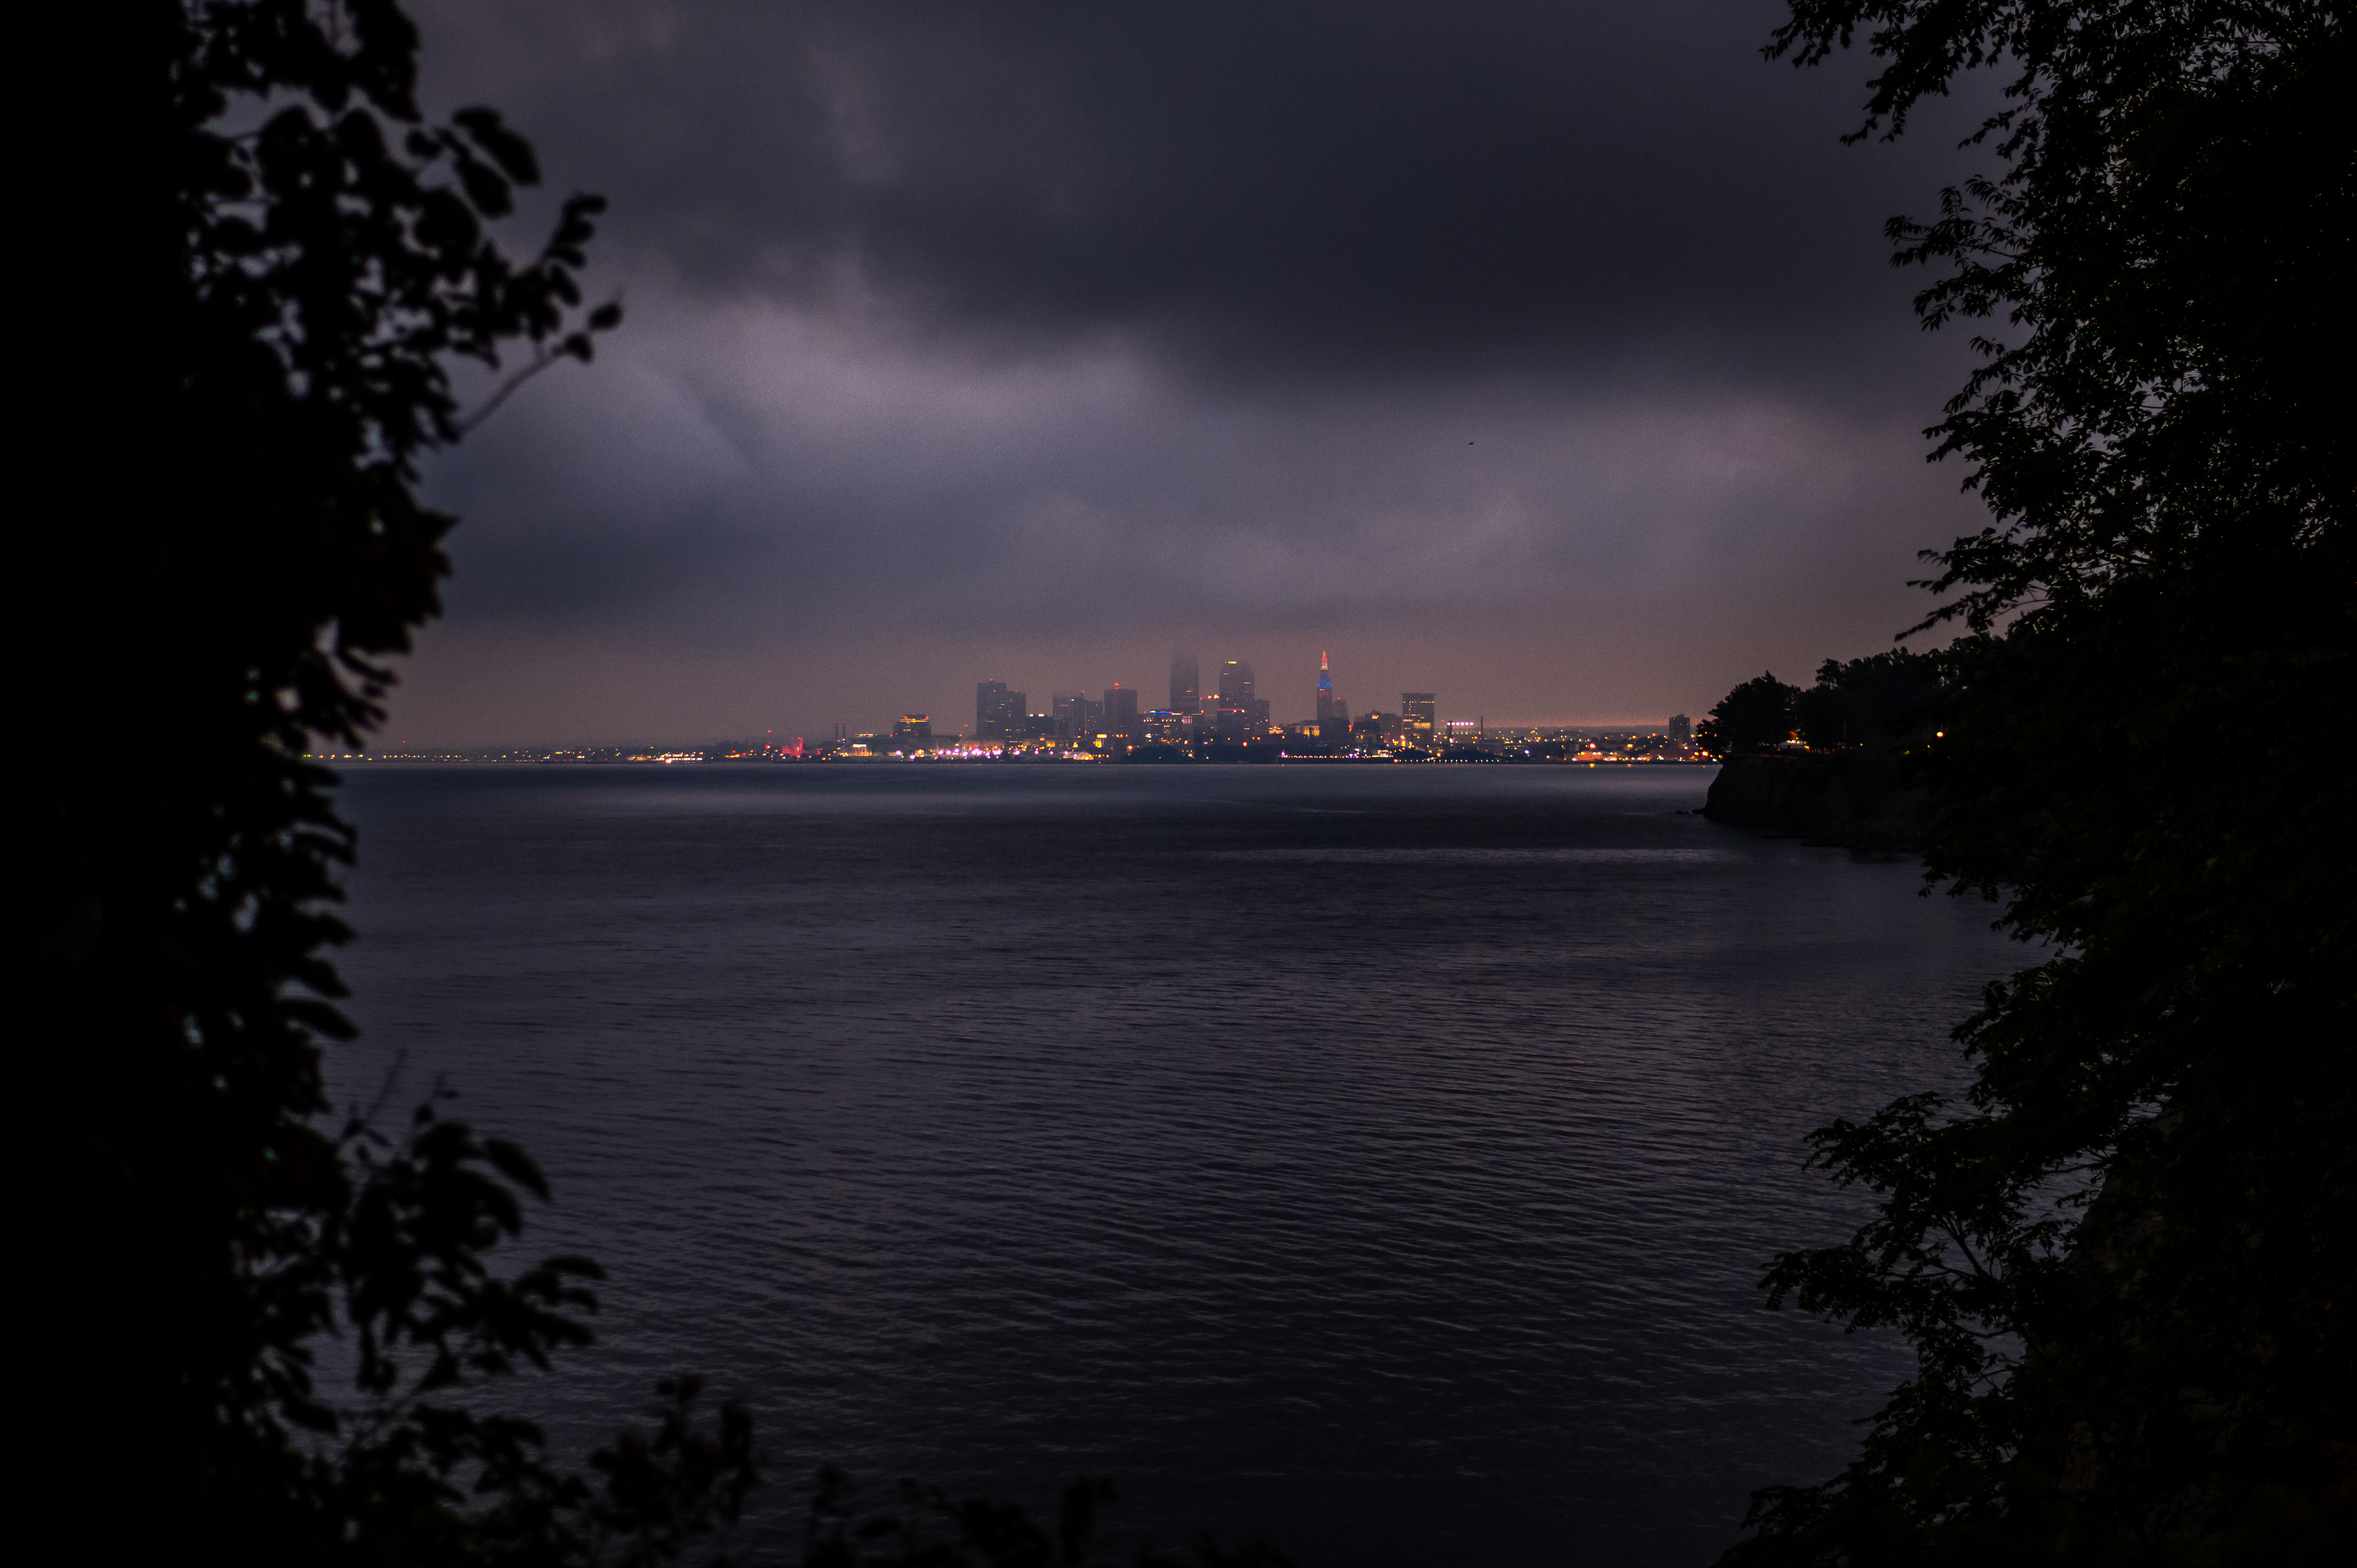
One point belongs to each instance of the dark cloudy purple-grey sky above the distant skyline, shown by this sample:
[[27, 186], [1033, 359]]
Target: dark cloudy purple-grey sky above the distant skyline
[[1543, 355]]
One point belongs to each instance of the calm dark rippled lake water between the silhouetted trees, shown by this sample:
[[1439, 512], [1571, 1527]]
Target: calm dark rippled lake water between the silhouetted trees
[[1378, 1161]]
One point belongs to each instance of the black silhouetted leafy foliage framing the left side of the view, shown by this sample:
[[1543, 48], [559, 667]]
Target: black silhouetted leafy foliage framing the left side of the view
[[284, 265]]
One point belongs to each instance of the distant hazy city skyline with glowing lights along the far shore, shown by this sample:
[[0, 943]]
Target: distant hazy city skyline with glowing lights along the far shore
[[1229, 723]]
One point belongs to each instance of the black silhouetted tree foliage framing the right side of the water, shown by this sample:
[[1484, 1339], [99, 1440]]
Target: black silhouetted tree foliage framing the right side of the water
[[2122, 1258]]
